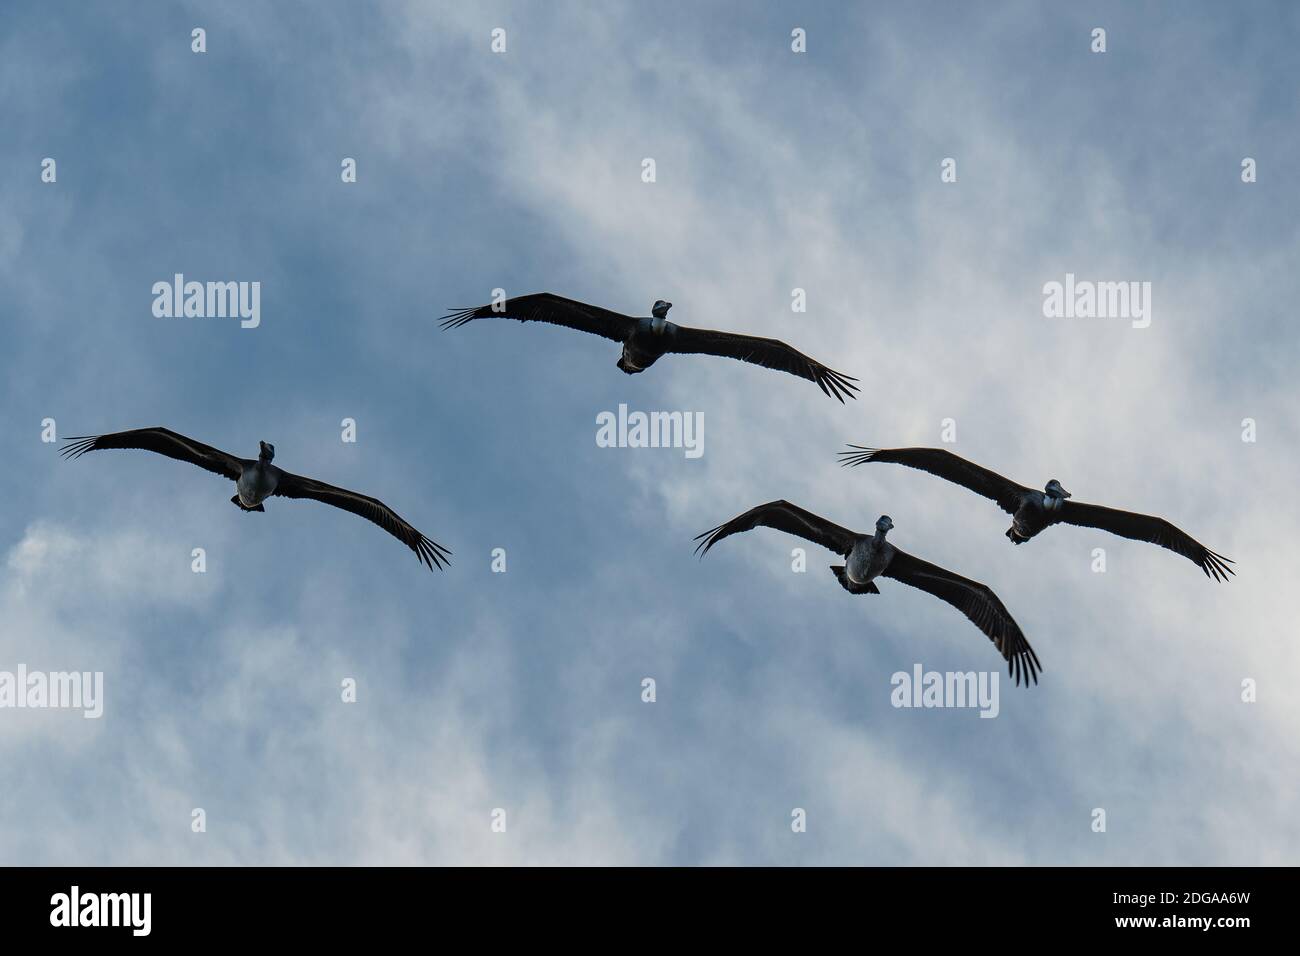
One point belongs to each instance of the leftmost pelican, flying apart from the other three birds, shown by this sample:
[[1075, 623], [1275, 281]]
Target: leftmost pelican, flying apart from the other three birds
[[258, 481]]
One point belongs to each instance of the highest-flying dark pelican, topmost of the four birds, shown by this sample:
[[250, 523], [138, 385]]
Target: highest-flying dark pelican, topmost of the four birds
[[647, 340]]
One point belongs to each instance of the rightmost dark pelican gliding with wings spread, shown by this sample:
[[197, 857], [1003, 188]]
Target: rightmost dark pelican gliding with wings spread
[[1033, 512]]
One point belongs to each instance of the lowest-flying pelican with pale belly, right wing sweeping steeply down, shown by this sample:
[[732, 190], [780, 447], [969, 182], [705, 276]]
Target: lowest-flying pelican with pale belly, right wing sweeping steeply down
[[870, 556]]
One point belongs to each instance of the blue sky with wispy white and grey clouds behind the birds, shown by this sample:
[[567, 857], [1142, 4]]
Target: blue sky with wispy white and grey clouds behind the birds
[[480, 693]]
